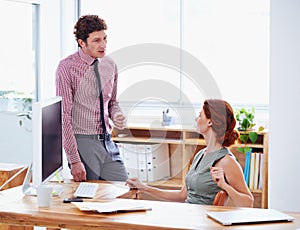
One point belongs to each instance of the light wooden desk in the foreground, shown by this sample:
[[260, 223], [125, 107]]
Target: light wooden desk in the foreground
[[17, 209]]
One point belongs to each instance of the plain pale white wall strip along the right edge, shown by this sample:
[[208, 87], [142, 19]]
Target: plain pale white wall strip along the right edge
[[284, 154]]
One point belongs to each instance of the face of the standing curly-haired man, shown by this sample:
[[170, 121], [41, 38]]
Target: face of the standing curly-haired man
[[95, 45]]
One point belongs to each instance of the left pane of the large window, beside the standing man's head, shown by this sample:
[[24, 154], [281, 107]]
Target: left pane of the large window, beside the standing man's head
[[140, 33]]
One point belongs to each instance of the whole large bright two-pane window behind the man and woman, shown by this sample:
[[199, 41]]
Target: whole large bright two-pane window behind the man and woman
[[177, 53]]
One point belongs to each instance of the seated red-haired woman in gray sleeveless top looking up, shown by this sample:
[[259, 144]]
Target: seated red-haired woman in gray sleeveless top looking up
[[214, 167]]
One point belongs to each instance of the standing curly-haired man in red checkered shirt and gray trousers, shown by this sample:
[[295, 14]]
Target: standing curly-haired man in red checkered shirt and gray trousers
[[76, 81]]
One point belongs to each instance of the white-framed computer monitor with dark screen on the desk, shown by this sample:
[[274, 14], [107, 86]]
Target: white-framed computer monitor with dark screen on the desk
[[47, 144]]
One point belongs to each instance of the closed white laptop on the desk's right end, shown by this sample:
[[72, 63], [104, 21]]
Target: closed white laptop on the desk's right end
[[251, 215]]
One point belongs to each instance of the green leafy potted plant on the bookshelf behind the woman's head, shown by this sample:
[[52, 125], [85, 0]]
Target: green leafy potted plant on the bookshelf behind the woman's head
[[245, 119]]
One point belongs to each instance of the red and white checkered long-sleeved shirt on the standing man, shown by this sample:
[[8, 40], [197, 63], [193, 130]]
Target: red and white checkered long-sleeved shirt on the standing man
[[77, 84]]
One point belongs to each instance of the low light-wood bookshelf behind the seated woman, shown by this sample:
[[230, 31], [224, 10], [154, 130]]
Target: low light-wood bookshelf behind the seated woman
[[184, 143]]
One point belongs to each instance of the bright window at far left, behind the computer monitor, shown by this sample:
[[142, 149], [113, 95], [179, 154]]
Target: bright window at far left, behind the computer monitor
[[19, 65]]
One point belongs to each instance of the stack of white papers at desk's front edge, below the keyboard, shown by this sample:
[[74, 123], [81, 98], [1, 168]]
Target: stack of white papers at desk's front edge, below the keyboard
[[112, 206]]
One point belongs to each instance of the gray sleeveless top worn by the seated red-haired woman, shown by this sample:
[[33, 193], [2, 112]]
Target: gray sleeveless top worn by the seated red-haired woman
[[201, 188]]
